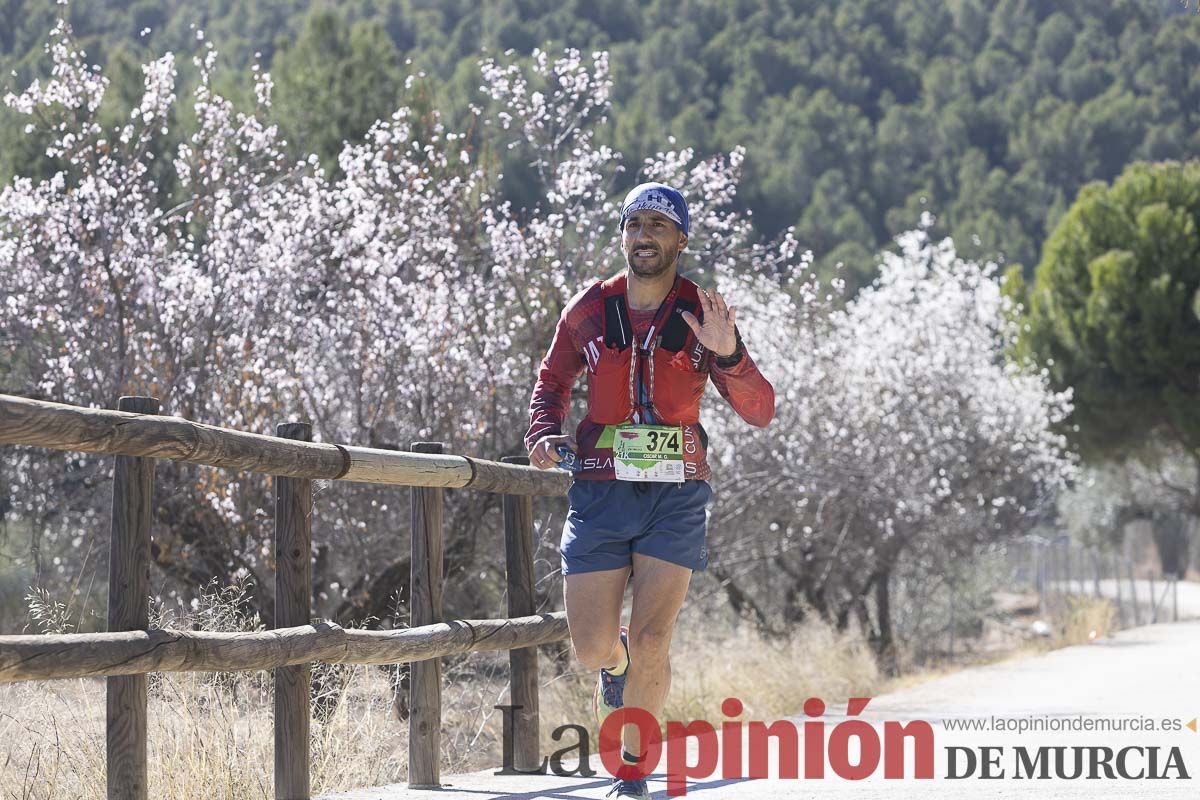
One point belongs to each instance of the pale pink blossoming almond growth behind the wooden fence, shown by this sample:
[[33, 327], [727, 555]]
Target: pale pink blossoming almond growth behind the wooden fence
[[403, 302]]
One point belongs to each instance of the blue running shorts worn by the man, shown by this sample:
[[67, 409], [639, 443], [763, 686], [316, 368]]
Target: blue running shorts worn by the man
[[610, 521]]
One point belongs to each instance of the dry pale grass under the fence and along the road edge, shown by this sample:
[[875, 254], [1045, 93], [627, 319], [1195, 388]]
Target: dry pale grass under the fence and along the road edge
[[212, 737]]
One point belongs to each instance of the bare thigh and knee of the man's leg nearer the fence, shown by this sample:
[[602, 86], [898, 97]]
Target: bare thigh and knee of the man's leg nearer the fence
[[593, 616]]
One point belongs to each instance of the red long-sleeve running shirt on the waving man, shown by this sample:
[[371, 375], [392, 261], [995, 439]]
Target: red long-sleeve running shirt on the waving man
[[579, 347]]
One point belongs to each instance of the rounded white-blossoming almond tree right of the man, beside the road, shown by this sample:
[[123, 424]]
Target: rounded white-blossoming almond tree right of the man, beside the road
[[902, 434]]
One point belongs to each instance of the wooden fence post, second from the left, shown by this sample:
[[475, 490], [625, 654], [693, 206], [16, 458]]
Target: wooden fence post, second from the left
[[293, 607]]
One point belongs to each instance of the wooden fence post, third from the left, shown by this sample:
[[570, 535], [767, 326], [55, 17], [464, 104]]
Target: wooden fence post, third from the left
[[425, 605]]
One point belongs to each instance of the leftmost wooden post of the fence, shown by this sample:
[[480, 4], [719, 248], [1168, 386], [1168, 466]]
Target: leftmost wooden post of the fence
[[129, 610]]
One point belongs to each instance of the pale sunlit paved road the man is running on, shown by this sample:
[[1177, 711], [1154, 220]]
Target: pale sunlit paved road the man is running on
[[1151, 672]]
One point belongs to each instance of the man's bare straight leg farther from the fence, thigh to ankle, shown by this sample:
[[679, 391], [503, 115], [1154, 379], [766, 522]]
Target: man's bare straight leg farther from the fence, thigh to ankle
[[659, 592]]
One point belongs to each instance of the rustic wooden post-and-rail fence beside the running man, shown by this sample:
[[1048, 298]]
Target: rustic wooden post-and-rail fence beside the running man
[[137, 436]]
